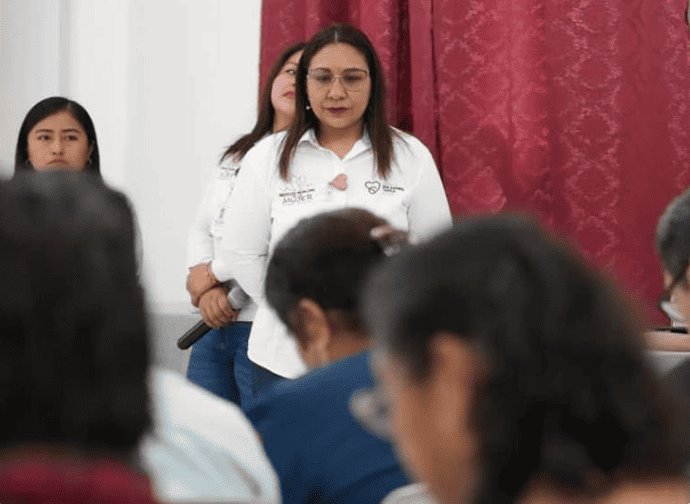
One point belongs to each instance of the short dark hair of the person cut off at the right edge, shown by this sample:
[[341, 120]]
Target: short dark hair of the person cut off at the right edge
[[673, 236]]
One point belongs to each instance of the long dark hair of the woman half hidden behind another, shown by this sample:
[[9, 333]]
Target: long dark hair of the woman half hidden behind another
[[266, 113]]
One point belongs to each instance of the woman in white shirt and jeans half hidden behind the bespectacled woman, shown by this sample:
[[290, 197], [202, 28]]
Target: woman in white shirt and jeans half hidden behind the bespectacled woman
[[219, 360]]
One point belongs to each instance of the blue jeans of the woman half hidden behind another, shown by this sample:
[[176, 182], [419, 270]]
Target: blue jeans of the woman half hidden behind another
[[219, 363]]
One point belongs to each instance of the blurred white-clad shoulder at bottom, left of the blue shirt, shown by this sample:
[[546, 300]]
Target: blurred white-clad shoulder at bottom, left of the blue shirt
[[235, 465]]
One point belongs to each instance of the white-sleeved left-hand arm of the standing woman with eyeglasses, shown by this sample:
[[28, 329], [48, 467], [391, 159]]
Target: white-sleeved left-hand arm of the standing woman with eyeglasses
[[243, 250]]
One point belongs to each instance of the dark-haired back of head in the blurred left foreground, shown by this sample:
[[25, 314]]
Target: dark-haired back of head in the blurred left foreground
[[74, 349]]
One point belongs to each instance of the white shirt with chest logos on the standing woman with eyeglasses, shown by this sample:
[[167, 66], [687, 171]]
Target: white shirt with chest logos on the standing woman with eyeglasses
[[264, 207]]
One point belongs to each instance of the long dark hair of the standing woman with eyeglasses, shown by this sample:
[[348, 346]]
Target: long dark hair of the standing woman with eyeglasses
[[375, 122]]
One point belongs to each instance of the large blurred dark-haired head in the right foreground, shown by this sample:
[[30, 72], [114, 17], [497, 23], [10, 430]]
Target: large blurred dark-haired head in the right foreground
[[561, 392]]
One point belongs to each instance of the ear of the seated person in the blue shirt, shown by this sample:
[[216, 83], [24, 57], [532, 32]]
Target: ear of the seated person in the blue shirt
[[314, 336]]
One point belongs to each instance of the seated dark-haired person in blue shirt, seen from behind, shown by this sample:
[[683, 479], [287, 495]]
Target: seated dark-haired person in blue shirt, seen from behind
[[320, 452]]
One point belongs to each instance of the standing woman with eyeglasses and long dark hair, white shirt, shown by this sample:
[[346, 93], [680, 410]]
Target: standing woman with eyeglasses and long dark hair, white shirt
[[339, 153]]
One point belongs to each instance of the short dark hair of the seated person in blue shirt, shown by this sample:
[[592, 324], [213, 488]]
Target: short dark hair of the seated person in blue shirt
[[327, 259]]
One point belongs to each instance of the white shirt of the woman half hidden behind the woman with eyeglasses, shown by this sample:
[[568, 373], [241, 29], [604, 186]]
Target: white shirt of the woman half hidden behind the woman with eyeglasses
[[207, 227]]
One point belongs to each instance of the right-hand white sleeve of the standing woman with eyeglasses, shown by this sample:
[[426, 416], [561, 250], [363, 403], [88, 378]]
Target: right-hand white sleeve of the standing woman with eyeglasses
[[428, 212]]
